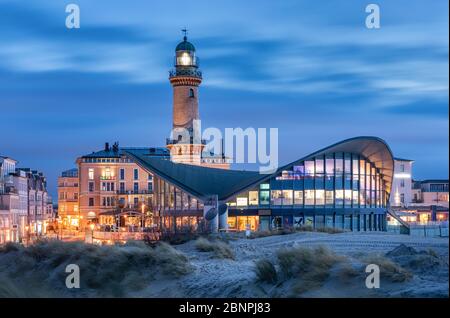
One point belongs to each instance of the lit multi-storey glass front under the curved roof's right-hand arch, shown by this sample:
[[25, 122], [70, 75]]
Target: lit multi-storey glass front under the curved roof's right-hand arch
[[339, 189]]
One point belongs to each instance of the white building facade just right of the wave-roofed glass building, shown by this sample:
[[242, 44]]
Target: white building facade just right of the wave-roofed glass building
[[401, 194]]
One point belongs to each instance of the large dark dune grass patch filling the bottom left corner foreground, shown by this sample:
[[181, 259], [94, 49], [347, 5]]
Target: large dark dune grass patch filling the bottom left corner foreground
[[105, 271]]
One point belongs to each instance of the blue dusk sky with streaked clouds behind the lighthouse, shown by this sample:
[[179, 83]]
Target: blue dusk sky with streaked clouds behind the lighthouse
[[309, 68]]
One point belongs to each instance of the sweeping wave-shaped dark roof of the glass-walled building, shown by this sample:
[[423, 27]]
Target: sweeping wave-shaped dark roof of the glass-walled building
[[227, 183]]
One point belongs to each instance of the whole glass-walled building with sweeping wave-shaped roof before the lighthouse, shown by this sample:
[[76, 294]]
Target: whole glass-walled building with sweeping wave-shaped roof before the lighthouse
[[345, 186]]
